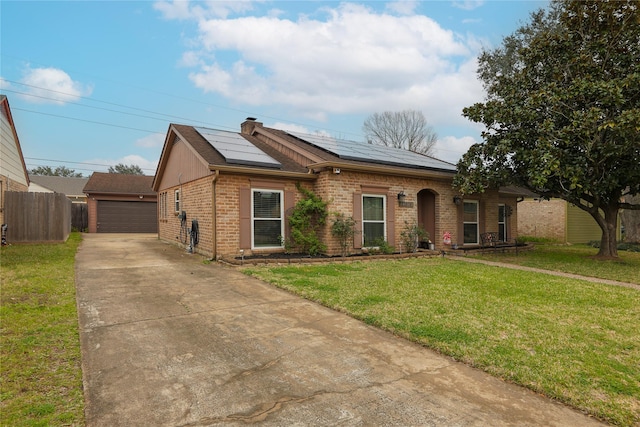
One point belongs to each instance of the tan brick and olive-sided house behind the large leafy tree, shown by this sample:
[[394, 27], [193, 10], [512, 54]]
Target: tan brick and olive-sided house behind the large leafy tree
[[558, 220]]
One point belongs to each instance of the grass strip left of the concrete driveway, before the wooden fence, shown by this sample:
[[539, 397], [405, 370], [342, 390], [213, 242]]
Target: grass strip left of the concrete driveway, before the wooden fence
[[40, 346]]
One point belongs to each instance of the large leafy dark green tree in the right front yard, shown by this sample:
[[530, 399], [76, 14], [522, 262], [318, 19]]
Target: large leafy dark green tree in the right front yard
[[562, 113]]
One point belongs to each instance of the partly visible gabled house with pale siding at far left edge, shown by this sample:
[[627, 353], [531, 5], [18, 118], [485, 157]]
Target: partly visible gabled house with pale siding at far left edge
[[13, 171]]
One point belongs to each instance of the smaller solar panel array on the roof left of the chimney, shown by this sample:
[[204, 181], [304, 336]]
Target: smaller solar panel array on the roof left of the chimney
[[237, 150]]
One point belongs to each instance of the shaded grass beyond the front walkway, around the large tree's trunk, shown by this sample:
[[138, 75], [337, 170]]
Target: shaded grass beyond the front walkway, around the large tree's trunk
[[576, 259]]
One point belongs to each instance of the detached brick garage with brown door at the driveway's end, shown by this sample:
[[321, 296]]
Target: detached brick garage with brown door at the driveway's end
[[120, 203]]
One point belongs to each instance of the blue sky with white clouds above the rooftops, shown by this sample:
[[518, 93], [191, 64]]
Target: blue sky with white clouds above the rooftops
[[92, 84]]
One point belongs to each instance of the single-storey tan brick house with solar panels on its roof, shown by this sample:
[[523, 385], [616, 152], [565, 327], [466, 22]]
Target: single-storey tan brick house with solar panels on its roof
[[240, 188]]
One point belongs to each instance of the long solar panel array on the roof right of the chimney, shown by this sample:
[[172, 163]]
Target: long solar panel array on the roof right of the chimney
[[353, 150]]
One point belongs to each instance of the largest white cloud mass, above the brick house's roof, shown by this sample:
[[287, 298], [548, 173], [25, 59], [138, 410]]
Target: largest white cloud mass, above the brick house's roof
[[347, 59]]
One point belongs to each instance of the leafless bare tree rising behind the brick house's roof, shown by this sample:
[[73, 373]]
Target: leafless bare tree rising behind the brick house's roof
[[406, 129]]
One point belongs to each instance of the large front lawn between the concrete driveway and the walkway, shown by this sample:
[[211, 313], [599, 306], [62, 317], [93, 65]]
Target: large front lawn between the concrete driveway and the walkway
[[571, 340]]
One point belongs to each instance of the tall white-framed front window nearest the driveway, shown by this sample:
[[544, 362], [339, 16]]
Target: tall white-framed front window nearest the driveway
[[267, 218]]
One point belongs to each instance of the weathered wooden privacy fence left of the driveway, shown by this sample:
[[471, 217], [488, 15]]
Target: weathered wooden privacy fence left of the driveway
[[37, 217]]
